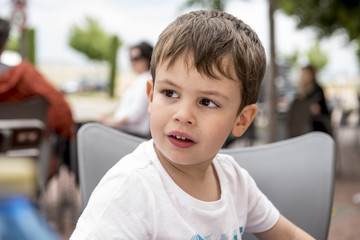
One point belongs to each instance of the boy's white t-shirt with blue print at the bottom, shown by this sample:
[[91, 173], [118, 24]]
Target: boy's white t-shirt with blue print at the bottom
[[137, 199]]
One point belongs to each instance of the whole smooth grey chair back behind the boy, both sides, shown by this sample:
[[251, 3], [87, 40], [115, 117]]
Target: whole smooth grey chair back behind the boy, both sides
[[296, 174]]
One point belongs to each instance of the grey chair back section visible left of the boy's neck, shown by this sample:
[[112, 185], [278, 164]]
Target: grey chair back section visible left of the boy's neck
[[99, 148]]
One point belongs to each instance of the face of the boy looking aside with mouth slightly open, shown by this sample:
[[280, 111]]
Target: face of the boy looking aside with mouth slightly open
[[191, 114]]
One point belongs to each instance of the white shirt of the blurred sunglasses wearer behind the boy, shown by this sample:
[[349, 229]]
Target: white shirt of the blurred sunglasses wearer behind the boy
[[133, 106]]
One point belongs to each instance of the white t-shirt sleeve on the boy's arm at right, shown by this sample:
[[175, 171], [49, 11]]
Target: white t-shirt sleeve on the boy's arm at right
[[262, 214]]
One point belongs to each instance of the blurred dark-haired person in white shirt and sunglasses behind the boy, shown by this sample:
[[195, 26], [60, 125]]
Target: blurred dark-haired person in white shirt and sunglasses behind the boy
[[131, 115]]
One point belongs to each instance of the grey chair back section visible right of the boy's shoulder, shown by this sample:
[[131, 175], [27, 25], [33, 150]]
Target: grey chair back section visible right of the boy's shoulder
[[297, 175]]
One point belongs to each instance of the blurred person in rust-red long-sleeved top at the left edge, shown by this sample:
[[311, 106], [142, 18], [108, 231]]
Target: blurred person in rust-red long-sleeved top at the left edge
[[24, 81]]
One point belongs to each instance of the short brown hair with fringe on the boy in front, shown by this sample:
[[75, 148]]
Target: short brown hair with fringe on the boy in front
[[215, 41]]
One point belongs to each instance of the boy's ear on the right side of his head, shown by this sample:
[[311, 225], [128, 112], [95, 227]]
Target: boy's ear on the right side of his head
[[244, 119]]
